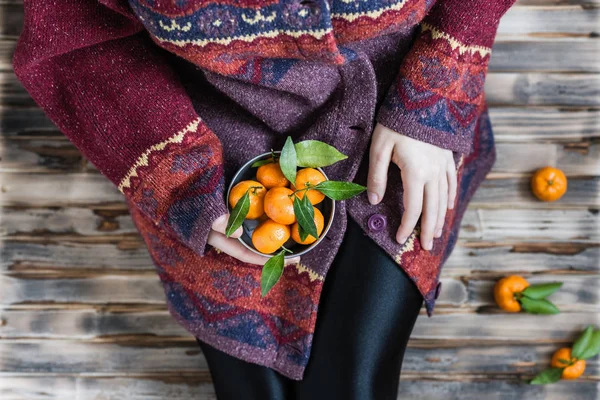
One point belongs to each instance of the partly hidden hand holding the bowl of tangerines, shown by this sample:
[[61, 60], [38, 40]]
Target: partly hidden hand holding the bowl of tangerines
[[233, 247]]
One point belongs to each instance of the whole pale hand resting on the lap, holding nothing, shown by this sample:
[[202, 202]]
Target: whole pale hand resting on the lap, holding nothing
[[428, 175]]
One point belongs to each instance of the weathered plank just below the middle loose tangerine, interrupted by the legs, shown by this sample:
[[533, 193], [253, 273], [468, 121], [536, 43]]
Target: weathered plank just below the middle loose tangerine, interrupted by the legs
[[102, 323]]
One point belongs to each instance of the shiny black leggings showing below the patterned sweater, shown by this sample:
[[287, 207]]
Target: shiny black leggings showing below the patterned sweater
[[367, 312]]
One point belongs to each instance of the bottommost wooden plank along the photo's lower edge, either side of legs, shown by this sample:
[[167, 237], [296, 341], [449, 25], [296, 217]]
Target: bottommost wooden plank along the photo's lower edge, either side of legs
[[185, 387]]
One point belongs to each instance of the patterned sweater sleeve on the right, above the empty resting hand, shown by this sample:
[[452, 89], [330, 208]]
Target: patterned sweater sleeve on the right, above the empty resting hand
[[438, 94]]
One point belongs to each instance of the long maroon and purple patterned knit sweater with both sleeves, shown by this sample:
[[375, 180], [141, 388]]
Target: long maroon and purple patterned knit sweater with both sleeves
[[168, 98]]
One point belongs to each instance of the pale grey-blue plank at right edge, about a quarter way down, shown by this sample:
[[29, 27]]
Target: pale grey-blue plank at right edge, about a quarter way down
[[535, 89]]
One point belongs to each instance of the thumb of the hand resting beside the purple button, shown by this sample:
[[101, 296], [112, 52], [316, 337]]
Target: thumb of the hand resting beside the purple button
[[380, 155]]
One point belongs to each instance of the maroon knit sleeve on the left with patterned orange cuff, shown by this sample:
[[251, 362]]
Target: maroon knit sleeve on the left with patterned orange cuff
[[97, 75]]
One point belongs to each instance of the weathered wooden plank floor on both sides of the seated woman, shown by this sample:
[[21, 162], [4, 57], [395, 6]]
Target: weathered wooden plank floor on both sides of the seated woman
[[82, 315]]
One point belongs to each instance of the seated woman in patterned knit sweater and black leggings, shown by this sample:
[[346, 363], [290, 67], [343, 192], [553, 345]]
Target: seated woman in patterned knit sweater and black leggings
[[169, 98]]
